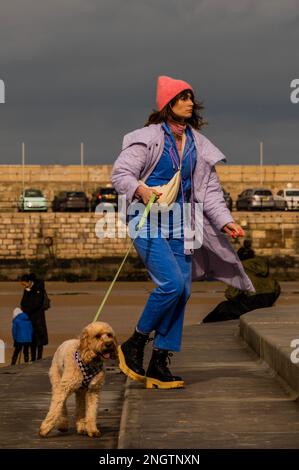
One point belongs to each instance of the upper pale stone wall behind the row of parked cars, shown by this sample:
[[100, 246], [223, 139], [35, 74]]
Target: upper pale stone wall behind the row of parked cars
[[53, 178]]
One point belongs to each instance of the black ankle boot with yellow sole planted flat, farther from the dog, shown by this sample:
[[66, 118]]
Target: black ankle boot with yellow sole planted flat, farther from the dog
[[158, 374]]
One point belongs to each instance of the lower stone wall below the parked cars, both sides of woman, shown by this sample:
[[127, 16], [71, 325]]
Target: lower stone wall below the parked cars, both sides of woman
[[65, 245]]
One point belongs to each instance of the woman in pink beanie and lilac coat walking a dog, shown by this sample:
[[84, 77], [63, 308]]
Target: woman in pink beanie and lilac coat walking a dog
[[169, 153]]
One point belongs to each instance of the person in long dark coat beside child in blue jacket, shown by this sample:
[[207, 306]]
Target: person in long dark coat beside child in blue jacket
[[32, 303]]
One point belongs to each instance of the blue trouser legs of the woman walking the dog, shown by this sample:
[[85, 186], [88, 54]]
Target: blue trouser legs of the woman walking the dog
[[170, 269]]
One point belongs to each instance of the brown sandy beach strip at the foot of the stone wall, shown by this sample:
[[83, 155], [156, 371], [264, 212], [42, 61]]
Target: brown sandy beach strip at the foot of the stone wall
[[73, 305]]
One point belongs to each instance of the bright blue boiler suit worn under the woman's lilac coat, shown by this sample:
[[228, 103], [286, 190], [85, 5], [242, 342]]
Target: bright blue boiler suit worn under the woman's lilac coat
[[168, 266]]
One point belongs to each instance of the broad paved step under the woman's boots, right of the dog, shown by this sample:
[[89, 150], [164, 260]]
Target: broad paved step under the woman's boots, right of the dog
[[231, 400]]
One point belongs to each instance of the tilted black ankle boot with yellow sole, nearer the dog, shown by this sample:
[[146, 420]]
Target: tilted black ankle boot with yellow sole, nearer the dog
[[131, 356]]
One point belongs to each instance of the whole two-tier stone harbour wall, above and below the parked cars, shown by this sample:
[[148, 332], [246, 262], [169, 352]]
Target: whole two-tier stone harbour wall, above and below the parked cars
[[66, 246]]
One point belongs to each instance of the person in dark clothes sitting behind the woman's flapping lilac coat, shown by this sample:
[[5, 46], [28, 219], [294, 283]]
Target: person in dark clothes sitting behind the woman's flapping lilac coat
[[240, 302]]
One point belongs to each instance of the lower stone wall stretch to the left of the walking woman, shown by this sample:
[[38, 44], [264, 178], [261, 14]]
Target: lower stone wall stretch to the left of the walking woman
[[62, 247]]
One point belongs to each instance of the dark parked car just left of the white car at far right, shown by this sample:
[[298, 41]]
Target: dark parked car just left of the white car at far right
[[255, 199]]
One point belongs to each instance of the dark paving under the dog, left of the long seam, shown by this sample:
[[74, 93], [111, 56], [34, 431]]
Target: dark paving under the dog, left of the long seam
[[24, 402]]
